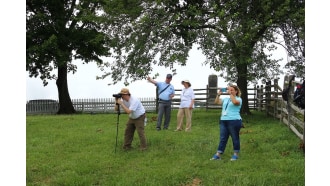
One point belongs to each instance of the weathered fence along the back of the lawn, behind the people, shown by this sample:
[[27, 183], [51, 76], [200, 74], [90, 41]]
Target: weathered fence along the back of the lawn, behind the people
[[204, 99]]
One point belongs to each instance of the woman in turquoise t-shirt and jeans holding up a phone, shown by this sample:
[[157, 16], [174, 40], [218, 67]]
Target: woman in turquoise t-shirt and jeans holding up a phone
[[230, 121]]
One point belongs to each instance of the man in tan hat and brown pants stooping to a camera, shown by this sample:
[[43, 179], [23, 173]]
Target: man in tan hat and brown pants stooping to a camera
[[136, 112]]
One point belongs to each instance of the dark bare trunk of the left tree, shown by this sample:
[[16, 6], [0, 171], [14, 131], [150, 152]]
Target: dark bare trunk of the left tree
[[66, 106]]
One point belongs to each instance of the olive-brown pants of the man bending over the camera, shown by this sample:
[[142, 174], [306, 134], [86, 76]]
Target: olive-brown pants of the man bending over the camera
[[131, 126]]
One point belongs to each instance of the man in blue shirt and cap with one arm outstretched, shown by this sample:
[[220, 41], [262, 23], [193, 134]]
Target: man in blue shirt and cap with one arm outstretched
[[165, 94]]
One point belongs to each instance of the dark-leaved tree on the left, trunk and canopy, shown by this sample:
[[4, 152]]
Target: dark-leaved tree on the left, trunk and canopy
[[57, 32]]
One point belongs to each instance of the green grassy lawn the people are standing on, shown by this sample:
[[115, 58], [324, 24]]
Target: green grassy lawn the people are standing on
[[81, 150]]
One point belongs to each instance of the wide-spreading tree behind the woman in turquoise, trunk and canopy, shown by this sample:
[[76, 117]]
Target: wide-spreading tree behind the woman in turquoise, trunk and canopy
[[234, 35]]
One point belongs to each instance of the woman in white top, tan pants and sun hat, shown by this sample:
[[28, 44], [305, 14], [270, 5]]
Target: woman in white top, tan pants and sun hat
[[187, 99]]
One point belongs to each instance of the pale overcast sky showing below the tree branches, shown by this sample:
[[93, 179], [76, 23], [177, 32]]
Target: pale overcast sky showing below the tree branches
[[83, 83]]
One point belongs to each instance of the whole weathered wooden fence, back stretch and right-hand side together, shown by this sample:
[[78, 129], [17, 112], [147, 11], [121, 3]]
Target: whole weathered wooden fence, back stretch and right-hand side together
[[266, 98]]
